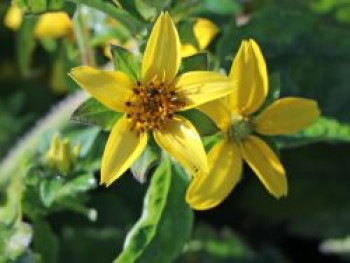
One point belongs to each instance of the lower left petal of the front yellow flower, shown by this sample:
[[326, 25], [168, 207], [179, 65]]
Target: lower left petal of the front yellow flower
[[122, 149]]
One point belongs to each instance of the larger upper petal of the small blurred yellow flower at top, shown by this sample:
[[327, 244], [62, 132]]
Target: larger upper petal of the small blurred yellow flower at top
[[204, 31]]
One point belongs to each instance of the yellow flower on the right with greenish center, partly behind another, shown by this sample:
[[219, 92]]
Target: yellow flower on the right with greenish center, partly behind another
[[234, 116]]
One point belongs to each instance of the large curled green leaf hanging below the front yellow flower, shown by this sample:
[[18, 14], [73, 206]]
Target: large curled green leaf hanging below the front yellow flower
[[166, 221]]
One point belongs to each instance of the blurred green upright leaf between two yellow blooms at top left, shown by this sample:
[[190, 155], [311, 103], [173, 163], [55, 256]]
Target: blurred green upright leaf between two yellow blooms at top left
[[25, 44]]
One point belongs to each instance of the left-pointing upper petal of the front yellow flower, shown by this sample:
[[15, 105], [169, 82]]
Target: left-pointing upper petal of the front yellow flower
[[112, 88]]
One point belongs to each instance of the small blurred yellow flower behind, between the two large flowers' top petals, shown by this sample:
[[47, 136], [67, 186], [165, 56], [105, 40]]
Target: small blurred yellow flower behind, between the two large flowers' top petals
[[204, 31]]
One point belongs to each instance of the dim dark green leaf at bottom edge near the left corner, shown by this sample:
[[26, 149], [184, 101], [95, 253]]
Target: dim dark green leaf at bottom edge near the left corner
[[45, 241]]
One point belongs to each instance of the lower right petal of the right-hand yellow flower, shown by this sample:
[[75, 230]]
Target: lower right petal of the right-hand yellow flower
[[266, 165]]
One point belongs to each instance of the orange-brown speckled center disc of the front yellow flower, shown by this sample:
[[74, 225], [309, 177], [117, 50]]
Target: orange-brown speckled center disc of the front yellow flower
[[152, 106]]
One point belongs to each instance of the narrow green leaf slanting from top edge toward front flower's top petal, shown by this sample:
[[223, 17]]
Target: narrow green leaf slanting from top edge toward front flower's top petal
[[108, 7]]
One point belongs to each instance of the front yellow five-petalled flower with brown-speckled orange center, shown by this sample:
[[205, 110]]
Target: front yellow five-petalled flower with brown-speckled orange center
[[151, 103]]
